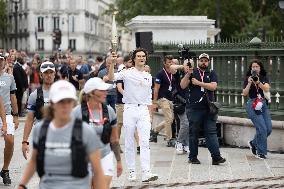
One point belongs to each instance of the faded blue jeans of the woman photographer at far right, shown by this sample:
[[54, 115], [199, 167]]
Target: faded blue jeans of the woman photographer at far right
[[263, 126]]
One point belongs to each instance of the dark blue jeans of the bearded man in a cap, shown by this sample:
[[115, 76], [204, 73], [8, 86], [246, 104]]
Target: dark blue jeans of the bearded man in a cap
[[199, 118]]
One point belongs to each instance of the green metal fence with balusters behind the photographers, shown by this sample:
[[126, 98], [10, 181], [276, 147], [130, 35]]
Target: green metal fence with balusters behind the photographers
[[230, 60]]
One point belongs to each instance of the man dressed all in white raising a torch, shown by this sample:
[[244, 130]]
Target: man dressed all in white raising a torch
[[137, 98]]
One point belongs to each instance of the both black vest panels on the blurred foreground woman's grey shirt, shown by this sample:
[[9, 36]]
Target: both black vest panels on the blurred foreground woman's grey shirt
[[78, 151]]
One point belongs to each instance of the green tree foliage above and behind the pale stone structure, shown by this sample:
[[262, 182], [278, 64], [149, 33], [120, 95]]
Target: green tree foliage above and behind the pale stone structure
[[238, 18]]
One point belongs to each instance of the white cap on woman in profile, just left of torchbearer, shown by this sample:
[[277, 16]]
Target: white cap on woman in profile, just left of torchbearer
[[96, 83]]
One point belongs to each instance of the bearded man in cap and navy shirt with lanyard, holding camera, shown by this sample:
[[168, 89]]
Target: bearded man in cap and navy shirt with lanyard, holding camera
[[199, 82]]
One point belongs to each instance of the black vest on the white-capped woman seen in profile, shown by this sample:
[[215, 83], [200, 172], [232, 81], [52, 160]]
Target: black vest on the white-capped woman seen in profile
[[105, 138]]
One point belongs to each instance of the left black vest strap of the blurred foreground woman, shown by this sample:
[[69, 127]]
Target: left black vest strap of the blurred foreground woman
[[41, 148]]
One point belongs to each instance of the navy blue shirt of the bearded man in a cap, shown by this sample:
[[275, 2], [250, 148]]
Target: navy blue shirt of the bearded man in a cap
[[197, 98]]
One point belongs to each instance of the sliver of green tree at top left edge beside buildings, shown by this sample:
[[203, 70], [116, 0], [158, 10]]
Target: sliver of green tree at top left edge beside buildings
[[3, 21]]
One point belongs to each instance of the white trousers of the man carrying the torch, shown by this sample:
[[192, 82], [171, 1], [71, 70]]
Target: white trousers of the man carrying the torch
[[135, 116]]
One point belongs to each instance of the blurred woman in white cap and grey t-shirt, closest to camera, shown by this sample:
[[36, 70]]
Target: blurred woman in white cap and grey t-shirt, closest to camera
[[63, 146]]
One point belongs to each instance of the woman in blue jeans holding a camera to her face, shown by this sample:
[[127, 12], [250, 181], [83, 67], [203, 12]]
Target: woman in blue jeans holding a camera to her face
[[255, 84]]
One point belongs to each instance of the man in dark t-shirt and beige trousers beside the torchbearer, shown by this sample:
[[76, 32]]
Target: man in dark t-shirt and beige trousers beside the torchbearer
[[164, 84]]
